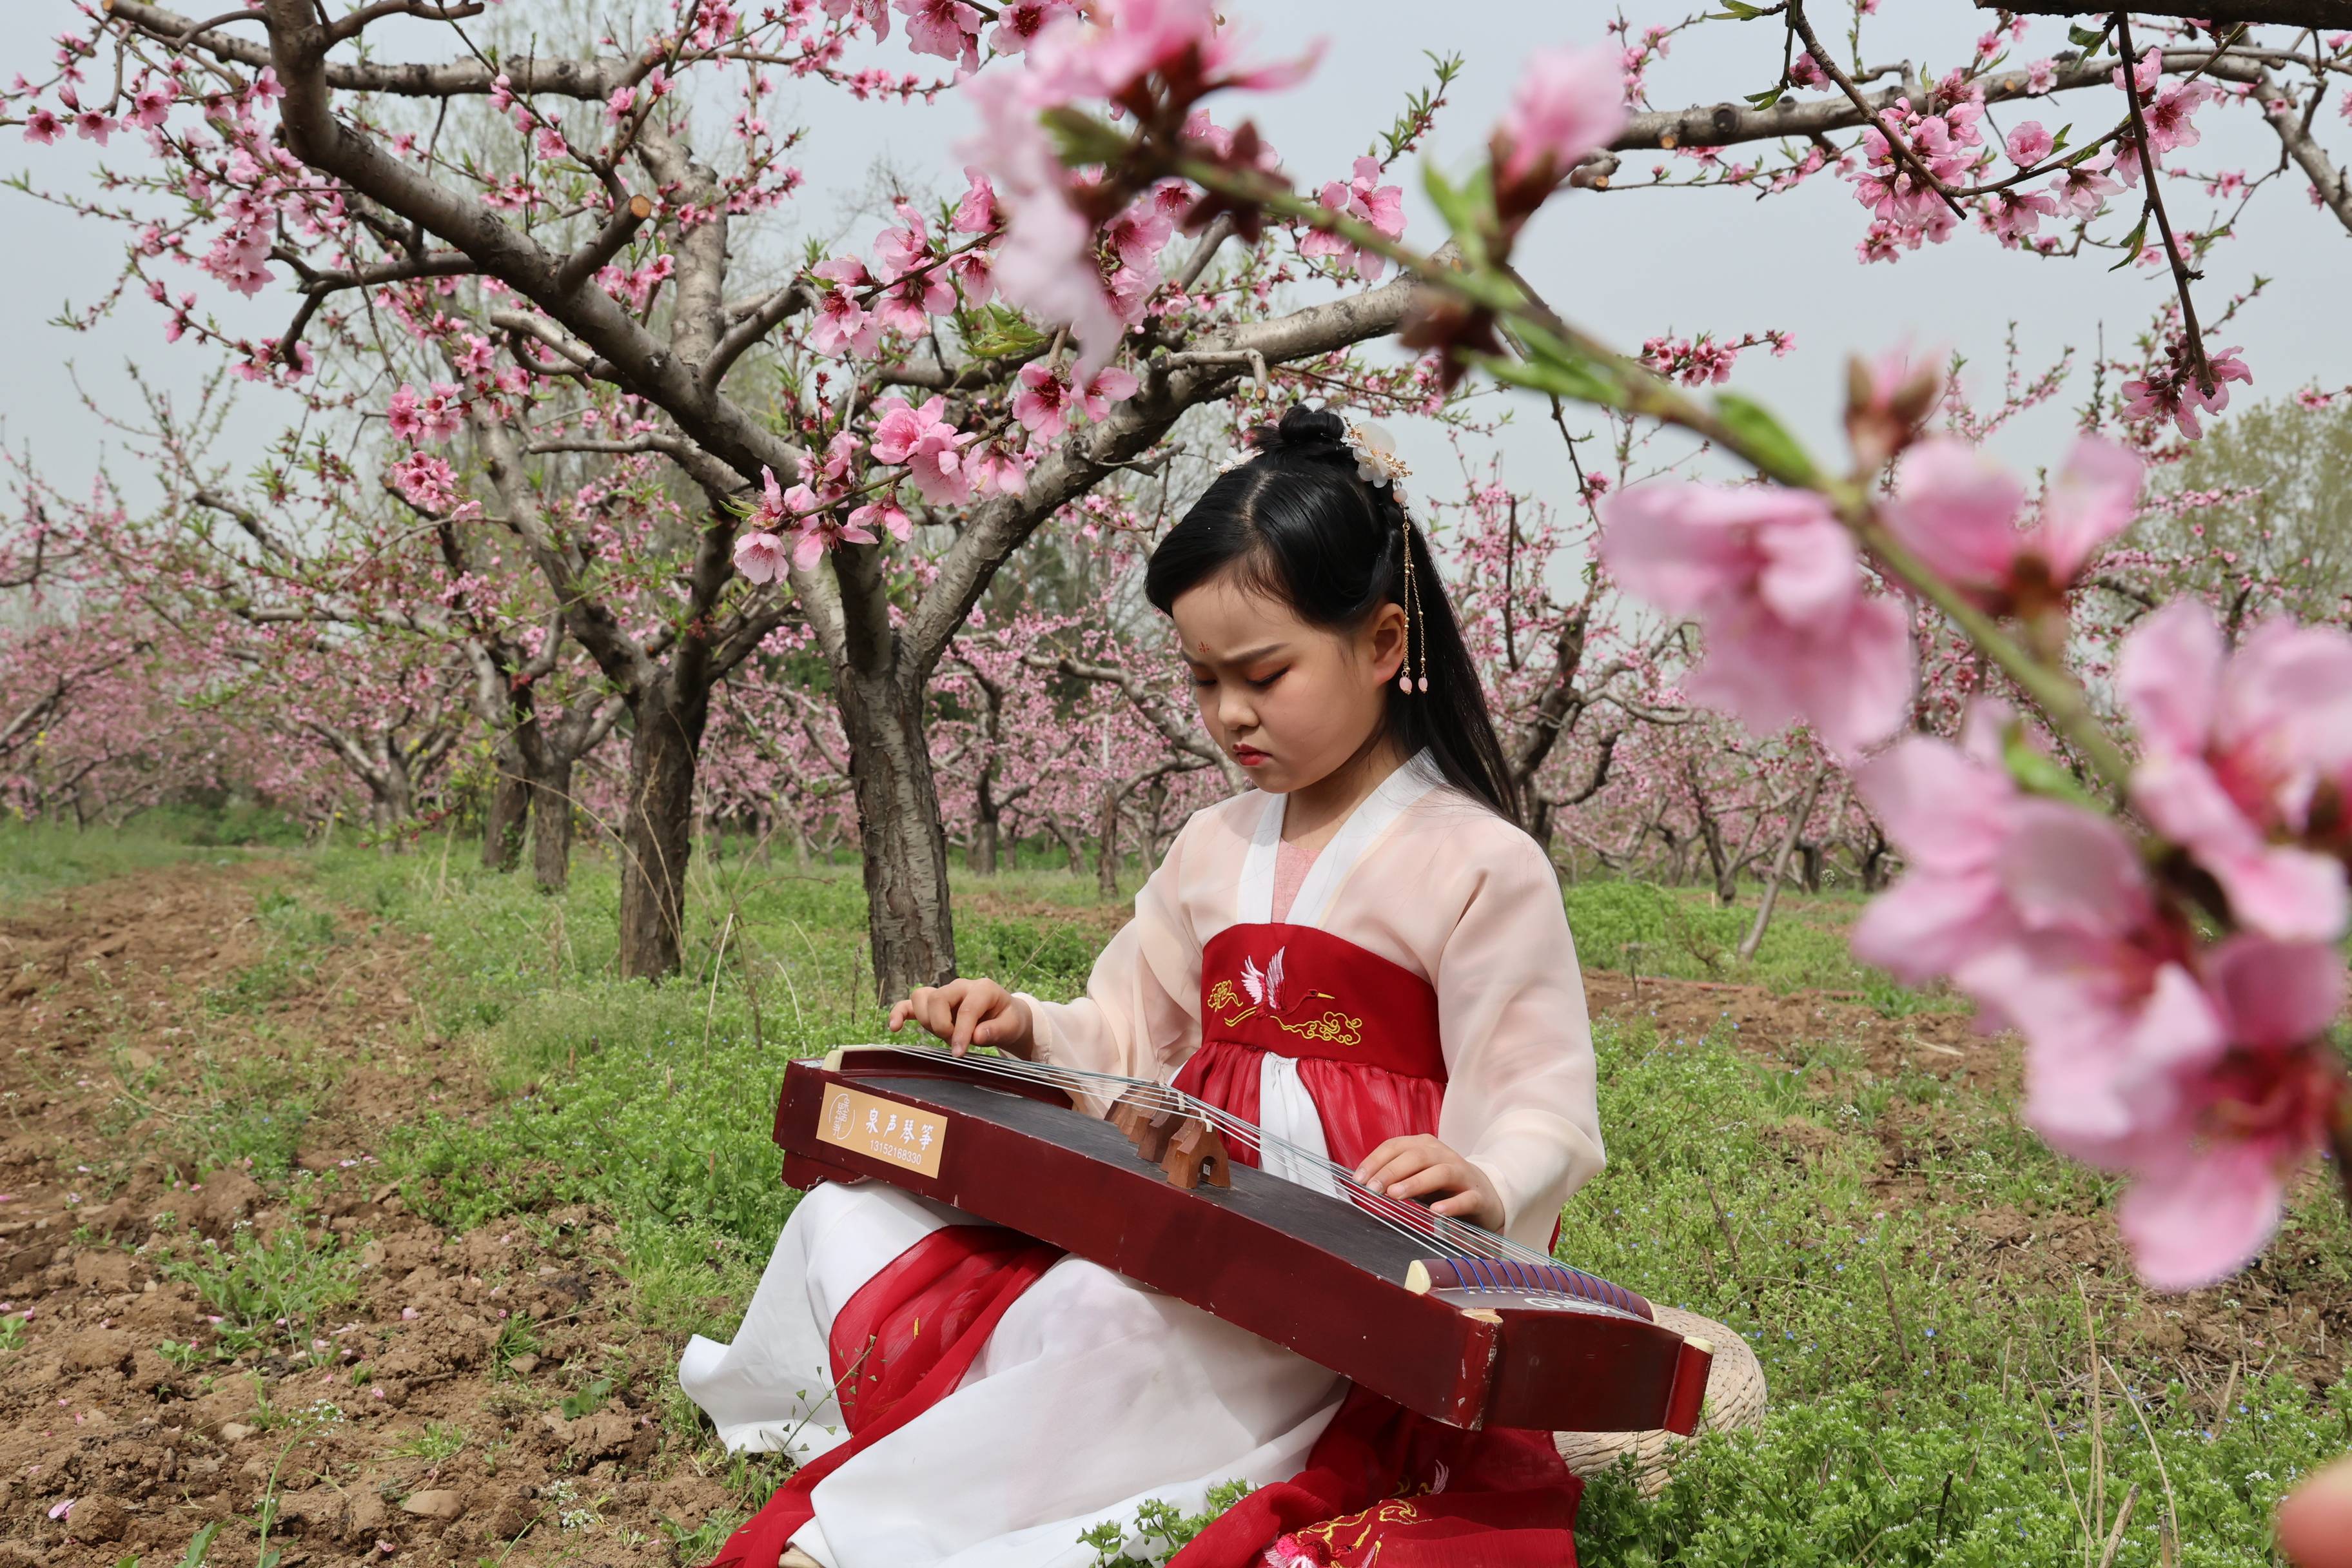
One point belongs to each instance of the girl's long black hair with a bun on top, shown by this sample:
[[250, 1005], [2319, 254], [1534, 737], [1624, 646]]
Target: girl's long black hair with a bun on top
[[1299, 525]]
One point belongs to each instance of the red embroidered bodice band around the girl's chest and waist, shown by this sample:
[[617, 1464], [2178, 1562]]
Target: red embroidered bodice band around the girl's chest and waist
[[1361, 1028]]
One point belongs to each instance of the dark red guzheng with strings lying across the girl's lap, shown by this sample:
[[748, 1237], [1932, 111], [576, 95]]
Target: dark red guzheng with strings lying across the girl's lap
[[1438, 1315]]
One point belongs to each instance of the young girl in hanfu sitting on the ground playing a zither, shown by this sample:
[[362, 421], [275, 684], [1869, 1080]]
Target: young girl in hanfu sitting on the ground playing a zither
[[1368, 958]]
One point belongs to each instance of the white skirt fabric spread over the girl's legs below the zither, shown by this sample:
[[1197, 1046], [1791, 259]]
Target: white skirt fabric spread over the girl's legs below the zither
[[1093, 1398]]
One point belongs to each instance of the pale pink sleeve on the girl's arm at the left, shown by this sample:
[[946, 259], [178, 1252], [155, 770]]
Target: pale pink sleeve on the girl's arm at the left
[[1140, 1014]]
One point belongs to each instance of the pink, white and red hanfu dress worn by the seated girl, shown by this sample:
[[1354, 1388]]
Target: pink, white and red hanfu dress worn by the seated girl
[[965, 1398]]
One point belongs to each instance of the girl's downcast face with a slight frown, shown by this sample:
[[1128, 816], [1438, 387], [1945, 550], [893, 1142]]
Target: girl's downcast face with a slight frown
[[1290, 702]]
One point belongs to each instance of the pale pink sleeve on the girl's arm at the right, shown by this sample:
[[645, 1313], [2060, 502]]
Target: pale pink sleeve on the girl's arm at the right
[[1511, 1014]]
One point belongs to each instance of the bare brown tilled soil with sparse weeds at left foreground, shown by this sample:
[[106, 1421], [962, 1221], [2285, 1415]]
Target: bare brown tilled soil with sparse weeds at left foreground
[[215, 1313]]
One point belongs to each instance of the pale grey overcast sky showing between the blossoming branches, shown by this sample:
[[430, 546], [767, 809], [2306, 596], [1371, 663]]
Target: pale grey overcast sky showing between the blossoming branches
[[1626, 264]]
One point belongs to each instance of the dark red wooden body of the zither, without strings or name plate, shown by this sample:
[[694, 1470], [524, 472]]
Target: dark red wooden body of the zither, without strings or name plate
[[1281, 1261]]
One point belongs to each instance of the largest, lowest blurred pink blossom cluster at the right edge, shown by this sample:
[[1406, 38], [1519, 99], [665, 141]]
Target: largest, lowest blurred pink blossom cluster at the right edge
[[2193, 1064]]
